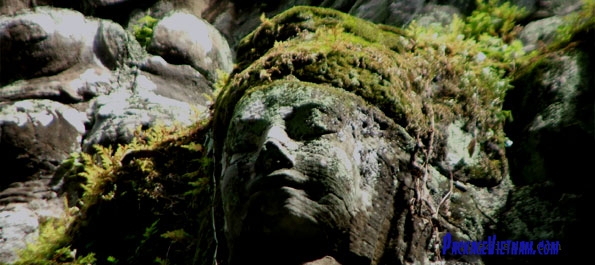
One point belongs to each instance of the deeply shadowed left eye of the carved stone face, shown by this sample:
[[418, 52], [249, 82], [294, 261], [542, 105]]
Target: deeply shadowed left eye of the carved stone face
[[244, 135]]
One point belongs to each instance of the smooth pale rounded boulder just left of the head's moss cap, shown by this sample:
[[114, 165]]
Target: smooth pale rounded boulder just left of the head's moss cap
[[182, 38]]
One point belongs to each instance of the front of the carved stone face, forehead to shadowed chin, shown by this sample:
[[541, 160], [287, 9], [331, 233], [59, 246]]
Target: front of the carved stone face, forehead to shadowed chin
[[291, 170]]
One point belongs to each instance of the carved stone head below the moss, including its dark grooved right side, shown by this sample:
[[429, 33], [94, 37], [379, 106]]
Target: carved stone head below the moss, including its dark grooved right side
[[309, 171]]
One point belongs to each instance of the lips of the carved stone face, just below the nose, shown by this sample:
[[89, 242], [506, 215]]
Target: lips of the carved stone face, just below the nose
[[277, 179]]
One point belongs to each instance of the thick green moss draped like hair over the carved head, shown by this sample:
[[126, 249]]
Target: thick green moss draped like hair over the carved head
[[424, 82]]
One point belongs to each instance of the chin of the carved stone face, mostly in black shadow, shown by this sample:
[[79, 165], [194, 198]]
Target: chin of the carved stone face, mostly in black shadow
[[281, 226]]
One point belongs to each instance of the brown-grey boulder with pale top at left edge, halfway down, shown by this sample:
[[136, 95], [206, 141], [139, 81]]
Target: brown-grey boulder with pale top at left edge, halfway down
[[36, 135]]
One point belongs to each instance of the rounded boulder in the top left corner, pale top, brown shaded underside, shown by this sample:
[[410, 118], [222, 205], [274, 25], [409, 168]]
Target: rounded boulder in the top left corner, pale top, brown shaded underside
[[42, 43]]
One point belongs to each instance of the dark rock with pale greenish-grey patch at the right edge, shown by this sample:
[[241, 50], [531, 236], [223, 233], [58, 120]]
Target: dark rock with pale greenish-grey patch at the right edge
[[553, 115]]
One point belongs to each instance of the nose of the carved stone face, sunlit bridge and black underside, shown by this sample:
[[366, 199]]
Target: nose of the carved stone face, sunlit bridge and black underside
[[274, 153]]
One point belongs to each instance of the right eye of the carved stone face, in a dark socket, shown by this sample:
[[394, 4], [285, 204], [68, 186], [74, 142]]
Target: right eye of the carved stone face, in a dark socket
[[310, 121]]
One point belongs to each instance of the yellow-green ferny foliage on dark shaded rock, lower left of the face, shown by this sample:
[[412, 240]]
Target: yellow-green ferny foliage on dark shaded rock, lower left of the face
[[140, 203]]
